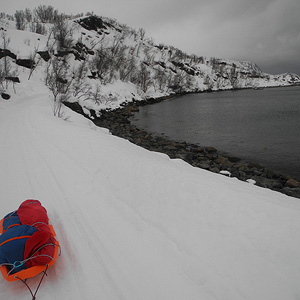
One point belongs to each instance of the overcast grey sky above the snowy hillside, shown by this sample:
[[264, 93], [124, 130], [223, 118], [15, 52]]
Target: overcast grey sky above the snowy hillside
[[266, 32]]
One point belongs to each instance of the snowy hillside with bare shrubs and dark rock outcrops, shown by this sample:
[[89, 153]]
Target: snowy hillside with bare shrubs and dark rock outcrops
[[100, 63]]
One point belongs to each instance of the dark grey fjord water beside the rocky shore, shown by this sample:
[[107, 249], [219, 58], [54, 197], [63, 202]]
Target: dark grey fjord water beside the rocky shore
[[261, 126]]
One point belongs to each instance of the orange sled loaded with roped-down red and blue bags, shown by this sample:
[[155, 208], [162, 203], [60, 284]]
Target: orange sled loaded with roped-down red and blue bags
[[34, 264]]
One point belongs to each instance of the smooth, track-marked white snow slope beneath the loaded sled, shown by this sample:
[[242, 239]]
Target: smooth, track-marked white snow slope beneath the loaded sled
[[134, 224]]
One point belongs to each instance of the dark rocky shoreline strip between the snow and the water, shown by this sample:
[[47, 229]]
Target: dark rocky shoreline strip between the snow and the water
[[209, 158]]
